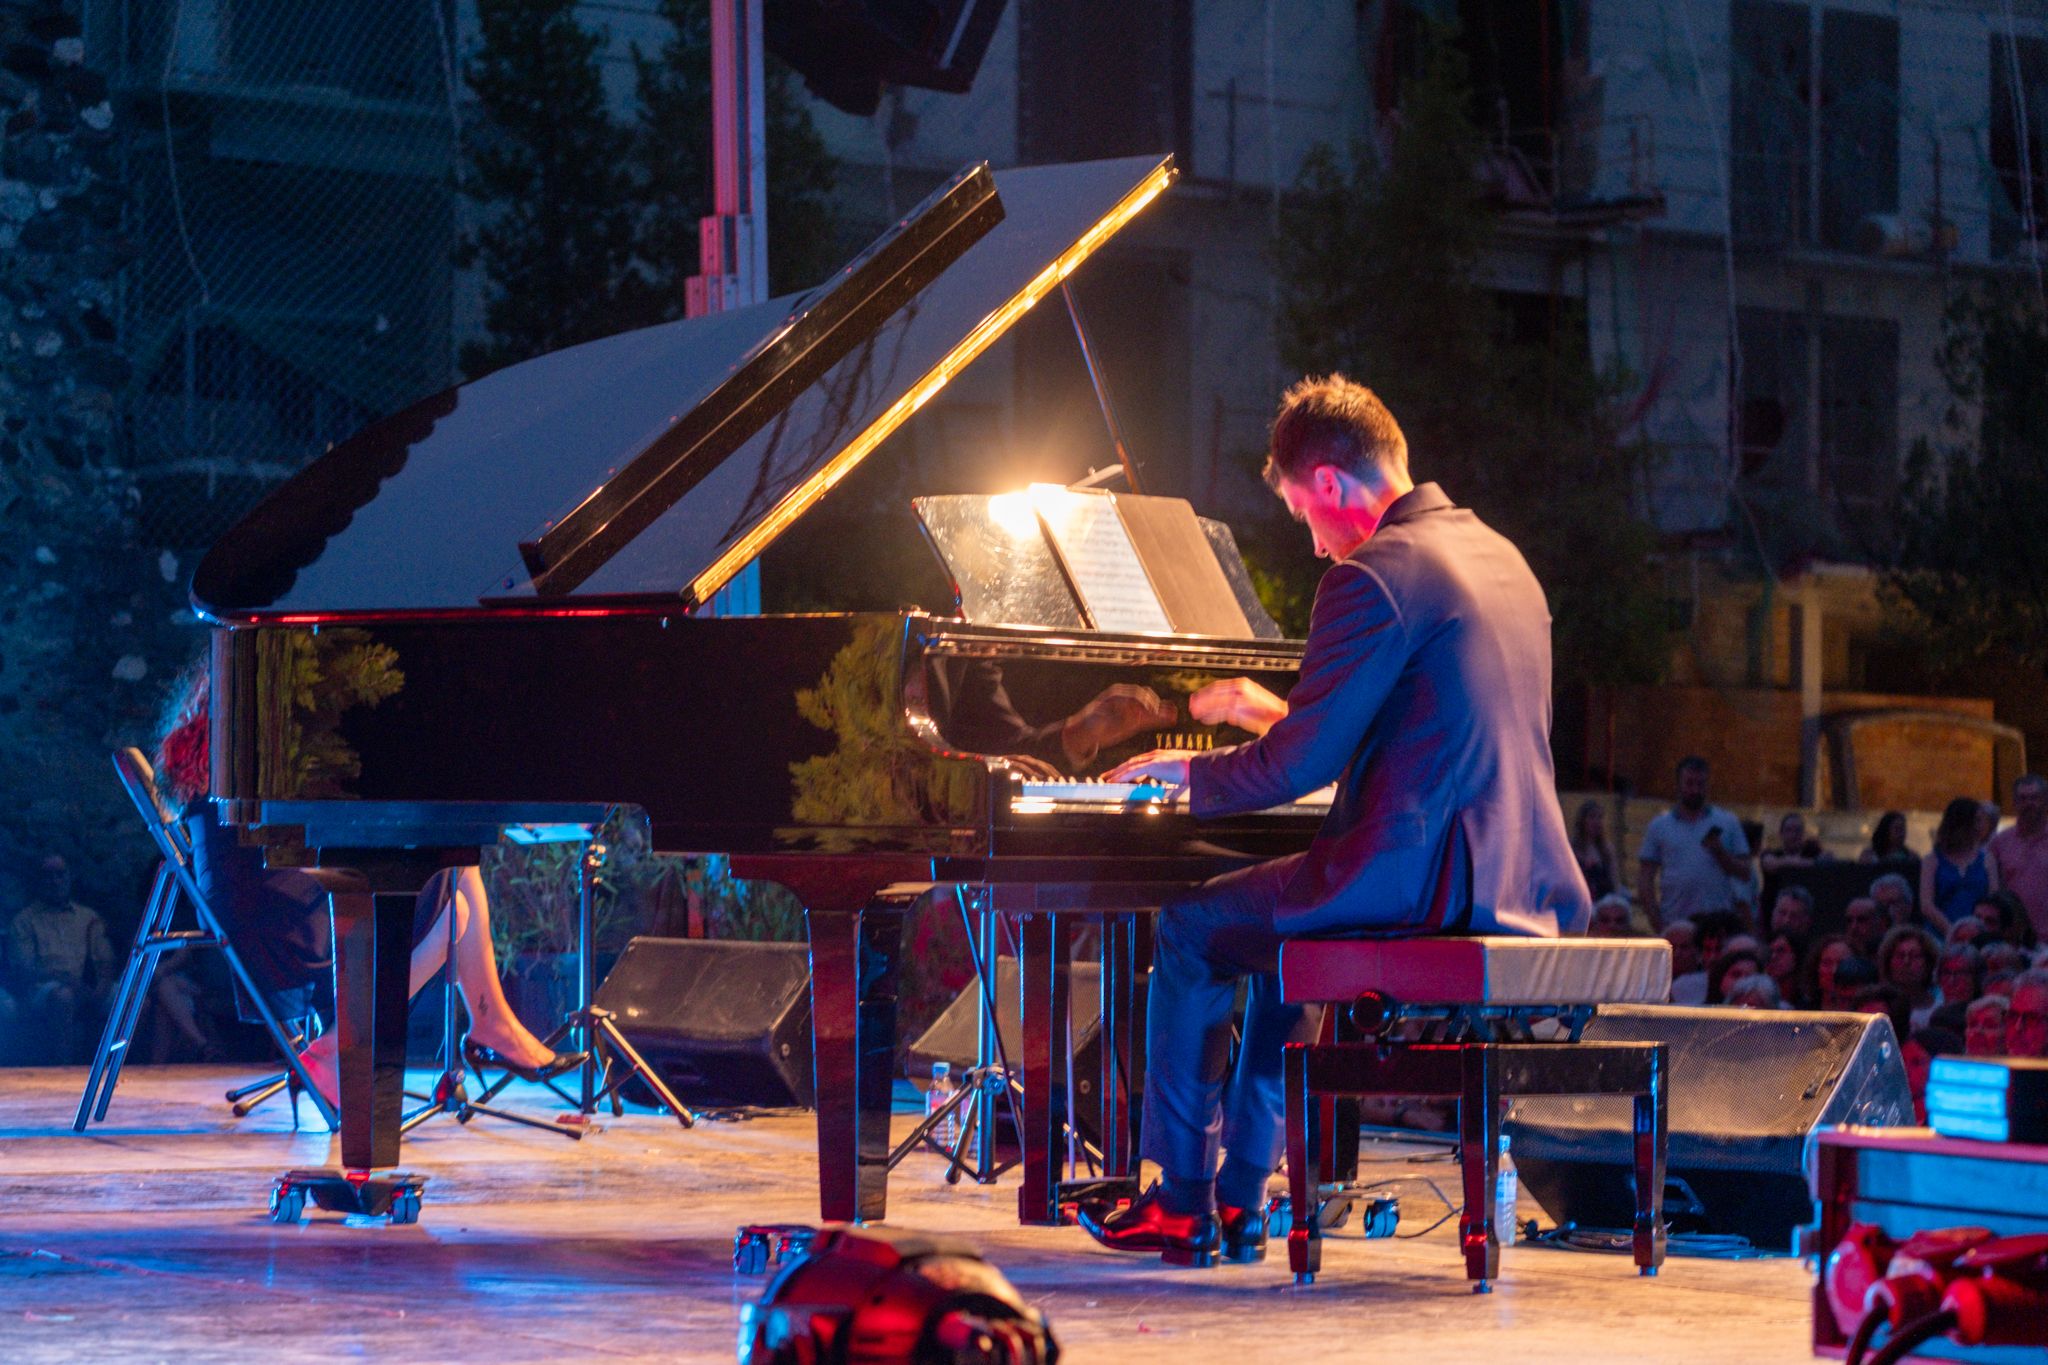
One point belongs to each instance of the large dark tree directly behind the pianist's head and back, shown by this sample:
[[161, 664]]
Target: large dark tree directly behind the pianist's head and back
[[1381, 275]]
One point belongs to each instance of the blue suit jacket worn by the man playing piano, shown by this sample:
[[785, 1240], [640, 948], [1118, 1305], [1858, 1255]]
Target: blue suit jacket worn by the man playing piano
[[1426, 697]]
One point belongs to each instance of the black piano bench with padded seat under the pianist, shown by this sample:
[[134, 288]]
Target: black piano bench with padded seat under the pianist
[[1457, 1018]]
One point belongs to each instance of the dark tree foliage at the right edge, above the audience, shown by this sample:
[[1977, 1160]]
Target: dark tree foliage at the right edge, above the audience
[[1971, 562]]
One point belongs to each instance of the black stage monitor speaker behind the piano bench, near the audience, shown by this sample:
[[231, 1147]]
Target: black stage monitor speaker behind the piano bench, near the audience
[[1748, 1088]]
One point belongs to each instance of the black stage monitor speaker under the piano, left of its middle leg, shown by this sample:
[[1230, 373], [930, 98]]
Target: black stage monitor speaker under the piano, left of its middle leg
[[722, 1024]]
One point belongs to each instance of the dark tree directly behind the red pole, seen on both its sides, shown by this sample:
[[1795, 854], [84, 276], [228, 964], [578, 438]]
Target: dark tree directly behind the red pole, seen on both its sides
[[673, 171]]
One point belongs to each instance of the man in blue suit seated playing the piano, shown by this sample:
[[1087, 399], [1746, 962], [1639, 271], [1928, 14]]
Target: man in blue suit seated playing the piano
[[1424, 695]]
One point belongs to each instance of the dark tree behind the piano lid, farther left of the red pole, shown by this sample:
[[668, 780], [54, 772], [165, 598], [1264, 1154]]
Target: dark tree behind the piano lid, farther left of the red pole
[[552, 179]]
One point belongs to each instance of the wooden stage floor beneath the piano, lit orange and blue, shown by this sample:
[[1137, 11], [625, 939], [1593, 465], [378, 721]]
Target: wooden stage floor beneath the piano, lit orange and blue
[[148, 1241]]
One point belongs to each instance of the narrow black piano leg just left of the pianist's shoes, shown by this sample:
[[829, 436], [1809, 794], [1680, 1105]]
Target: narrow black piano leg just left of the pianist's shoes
[[1046, 946]]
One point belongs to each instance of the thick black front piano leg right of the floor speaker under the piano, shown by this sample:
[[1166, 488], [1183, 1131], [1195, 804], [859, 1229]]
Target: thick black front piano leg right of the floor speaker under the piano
[[853, 1016]]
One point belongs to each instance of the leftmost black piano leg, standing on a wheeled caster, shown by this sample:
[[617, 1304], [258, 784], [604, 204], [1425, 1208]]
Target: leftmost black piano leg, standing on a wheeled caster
[[374, 965]]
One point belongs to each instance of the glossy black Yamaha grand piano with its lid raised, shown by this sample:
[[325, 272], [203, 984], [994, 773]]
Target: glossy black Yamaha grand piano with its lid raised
[[495, 611]]
